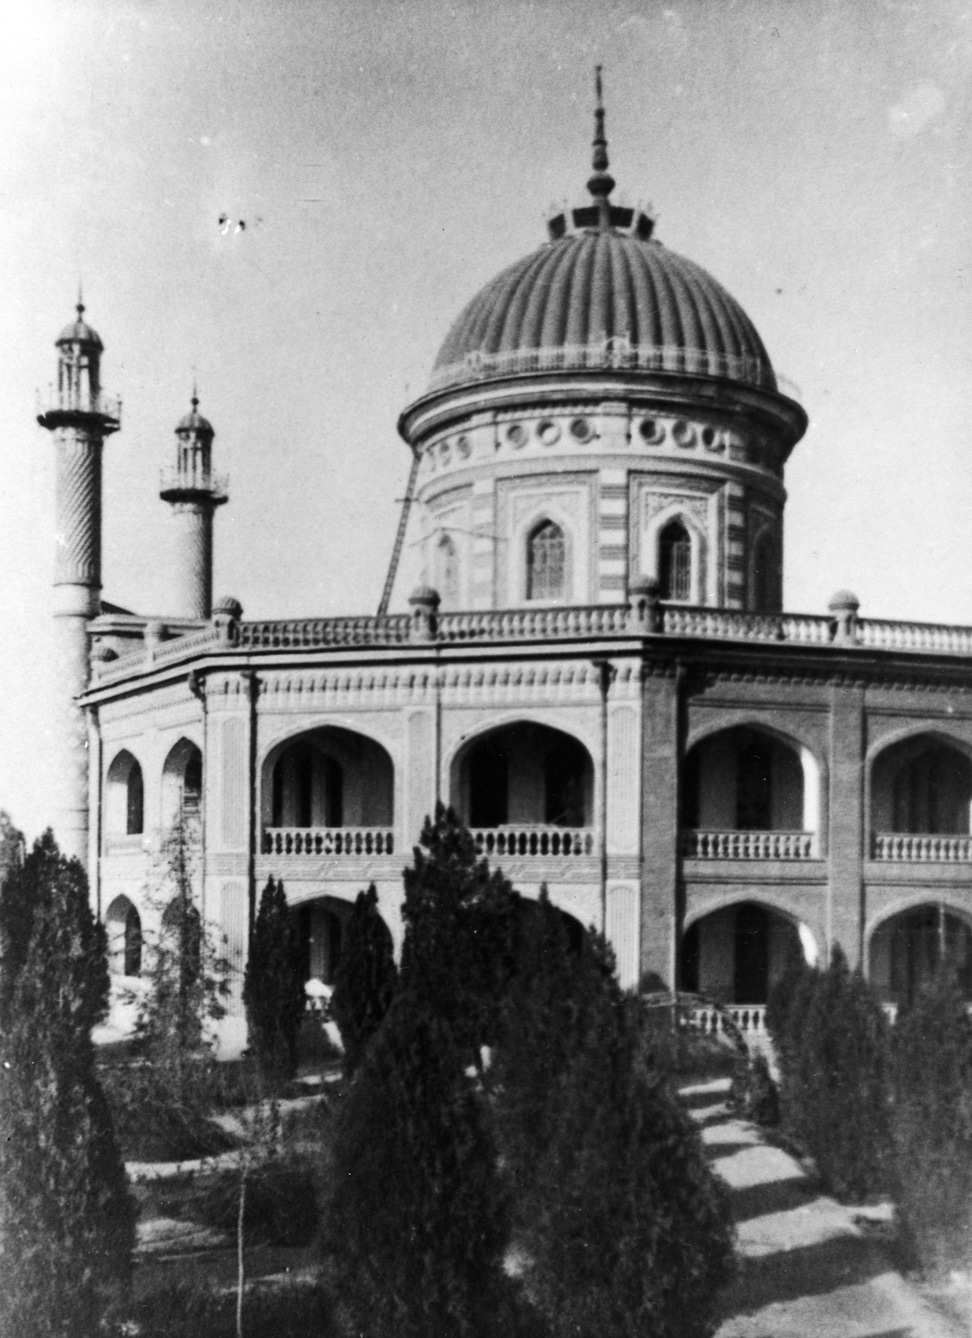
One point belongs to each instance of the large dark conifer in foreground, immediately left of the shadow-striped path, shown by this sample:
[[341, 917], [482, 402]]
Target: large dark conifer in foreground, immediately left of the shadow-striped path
[[623, 1216]]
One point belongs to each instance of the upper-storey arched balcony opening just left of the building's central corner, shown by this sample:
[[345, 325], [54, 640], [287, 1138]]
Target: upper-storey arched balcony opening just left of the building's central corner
[[531, 785]]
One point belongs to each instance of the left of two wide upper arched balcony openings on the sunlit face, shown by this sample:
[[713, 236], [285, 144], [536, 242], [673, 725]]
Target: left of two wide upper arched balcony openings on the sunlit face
[[330, 791]]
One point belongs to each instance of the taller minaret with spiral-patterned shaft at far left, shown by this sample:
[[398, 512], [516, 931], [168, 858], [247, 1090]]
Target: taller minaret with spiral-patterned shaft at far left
[[81, 418]]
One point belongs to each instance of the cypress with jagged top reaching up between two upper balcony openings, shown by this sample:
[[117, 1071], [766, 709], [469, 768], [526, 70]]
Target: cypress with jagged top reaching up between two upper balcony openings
[[461, 927]]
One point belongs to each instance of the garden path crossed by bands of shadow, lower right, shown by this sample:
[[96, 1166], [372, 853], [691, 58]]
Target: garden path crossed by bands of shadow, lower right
[[807, 1266]]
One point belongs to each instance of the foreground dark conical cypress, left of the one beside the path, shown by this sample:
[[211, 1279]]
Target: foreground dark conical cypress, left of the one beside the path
[[417, 1224]]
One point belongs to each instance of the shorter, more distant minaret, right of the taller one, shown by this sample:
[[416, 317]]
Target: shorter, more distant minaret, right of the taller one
[[195, 494]]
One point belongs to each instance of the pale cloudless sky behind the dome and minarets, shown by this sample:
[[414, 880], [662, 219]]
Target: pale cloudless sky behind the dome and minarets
[[388, 160]]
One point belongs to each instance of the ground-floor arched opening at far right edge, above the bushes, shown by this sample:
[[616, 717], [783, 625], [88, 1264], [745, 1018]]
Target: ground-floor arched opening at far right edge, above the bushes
[[908, 949]]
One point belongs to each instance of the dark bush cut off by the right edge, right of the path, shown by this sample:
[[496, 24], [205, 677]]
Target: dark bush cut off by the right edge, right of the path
[[933, 1123]]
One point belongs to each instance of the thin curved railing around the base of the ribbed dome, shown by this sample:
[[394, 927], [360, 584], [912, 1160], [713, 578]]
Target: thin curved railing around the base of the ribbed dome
[[613, 354]]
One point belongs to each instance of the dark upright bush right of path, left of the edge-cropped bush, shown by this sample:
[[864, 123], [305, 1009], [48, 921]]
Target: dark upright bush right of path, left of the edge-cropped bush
[[836, 1082]]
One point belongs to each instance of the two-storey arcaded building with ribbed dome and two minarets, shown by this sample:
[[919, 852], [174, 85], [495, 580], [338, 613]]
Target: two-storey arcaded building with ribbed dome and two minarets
[[596, 672]]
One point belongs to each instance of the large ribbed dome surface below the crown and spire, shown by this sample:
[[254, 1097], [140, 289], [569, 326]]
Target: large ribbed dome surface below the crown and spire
[[603, 299]]
